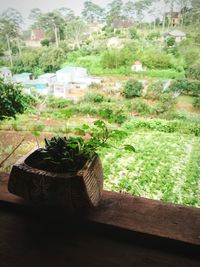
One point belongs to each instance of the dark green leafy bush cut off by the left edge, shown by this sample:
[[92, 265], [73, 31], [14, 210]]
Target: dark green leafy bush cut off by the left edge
[[12, 100]]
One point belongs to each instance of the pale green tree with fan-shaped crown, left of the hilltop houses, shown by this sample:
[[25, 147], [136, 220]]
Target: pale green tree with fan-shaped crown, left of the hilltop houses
[[74, 31]]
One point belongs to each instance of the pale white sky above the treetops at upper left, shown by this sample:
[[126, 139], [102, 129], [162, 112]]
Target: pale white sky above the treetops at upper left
[[24, 6]]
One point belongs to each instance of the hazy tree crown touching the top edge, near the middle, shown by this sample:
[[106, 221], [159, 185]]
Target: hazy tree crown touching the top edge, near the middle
[[92, 12]]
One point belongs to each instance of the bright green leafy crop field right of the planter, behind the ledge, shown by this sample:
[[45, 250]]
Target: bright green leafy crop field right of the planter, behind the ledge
[[169, 173]]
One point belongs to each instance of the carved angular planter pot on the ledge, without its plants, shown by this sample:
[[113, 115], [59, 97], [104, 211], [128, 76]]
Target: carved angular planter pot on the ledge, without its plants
[[74, 190]]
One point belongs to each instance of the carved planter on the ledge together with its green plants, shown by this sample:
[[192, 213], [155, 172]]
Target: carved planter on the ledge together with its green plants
[[66, 172]]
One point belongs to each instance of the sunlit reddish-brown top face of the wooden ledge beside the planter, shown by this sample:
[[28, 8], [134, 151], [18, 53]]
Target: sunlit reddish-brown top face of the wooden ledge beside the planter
[[136, 214]]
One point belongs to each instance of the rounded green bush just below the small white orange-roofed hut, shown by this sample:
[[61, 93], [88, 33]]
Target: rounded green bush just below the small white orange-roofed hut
[[132, 88]]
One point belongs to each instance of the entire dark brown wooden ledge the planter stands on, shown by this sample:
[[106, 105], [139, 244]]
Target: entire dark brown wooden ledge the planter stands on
[[122, 231]]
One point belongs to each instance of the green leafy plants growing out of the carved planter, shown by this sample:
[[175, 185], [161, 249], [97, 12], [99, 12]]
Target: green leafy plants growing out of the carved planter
[[71, 153]]
